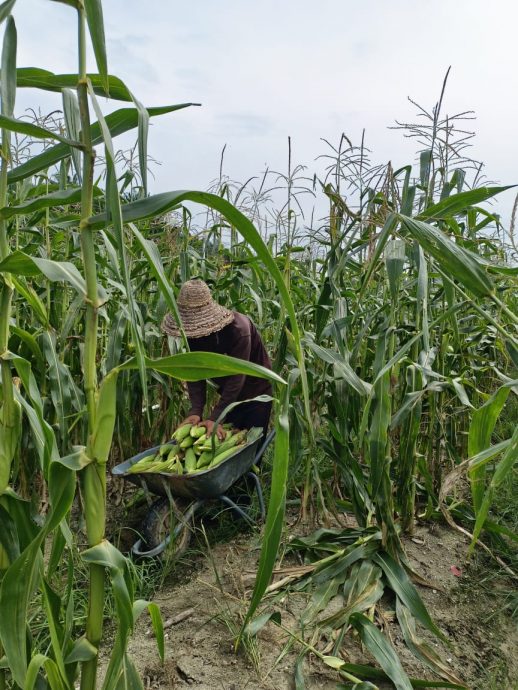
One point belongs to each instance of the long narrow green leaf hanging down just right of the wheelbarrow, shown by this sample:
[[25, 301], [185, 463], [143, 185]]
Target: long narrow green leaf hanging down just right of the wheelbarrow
[[276, 508]]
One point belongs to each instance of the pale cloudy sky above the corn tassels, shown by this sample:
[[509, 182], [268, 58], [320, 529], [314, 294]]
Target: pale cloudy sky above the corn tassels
[[268, 70]]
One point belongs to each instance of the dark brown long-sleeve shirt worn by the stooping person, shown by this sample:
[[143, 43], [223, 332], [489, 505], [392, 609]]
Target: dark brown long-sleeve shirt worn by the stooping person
[[239, 339]]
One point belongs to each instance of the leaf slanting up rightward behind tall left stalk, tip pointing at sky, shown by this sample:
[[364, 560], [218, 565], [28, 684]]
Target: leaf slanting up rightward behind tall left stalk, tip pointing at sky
[[119, 122]]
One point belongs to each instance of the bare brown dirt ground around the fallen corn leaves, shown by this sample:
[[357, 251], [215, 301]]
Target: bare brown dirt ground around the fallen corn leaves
[[211, 588]]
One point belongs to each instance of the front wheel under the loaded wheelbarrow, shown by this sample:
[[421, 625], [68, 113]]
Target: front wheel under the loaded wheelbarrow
[[167, 519]]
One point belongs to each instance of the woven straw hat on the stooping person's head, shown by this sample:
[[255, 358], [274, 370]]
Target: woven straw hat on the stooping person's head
[[200, 315]]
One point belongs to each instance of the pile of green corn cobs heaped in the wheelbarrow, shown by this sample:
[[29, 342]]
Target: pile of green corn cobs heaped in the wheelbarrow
[[191, 450]]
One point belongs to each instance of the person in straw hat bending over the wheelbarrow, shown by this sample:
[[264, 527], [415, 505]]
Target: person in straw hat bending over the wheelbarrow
[[210, 327]]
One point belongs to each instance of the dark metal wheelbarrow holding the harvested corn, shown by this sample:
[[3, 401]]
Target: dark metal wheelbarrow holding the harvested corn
[[170, 519]]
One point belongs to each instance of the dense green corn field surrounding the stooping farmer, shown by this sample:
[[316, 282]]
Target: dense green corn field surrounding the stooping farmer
[[392, 325]]
